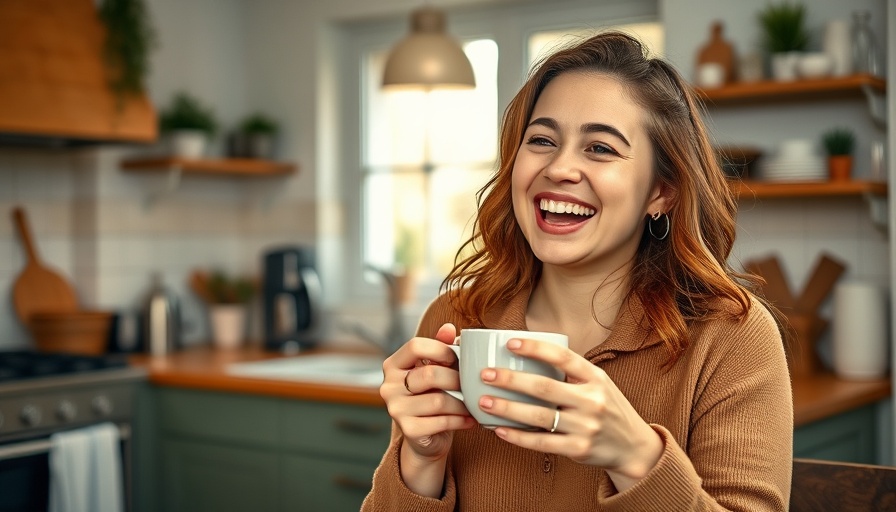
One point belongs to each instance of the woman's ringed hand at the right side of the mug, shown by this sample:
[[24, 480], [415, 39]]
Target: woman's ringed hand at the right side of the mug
[[596, 424]]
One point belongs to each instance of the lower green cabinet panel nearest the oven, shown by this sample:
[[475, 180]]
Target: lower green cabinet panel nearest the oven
[[199, 476]]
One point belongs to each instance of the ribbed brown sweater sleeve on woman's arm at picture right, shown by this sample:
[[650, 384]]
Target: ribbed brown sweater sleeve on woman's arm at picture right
[[740, 448]]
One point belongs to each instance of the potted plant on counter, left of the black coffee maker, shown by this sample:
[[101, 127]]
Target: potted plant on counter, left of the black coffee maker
[[226, 297]]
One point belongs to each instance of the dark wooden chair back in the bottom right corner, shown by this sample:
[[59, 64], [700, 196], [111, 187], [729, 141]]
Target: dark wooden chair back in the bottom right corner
[[820, 486]]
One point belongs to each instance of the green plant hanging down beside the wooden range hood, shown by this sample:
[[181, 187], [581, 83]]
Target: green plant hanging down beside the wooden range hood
[[129, 39]]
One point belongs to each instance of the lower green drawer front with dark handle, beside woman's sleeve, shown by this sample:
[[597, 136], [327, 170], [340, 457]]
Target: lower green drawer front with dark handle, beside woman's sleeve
[[322, 485]]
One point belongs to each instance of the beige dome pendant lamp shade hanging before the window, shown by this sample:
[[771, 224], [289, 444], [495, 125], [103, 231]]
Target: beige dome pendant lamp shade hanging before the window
[[428, 57]]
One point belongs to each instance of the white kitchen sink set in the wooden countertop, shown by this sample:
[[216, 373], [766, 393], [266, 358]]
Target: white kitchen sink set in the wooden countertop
[[350, 369]]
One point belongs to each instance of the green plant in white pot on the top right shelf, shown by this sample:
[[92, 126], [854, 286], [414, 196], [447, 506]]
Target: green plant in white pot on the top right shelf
[[784, 37]]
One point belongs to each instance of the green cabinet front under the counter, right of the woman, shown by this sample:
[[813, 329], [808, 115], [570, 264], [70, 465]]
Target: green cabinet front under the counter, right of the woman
[[847, 437]]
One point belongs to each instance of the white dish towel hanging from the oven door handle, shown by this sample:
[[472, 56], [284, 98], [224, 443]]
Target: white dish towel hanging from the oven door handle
[[85, 470]]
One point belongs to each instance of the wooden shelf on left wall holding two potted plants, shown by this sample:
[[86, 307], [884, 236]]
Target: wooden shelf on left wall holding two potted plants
[[219, 166]]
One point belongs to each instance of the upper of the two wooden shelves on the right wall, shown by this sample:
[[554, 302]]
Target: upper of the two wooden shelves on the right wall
[[768, 90]]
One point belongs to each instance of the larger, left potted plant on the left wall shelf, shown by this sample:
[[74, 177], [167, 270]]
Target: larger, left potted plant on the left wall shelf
[[188, 124]]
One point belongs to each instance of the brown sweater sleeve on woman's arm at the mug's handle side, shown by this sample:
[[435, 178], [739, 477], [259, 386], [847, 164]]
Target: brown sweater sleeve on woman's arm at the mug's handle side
[[389, 492]]
